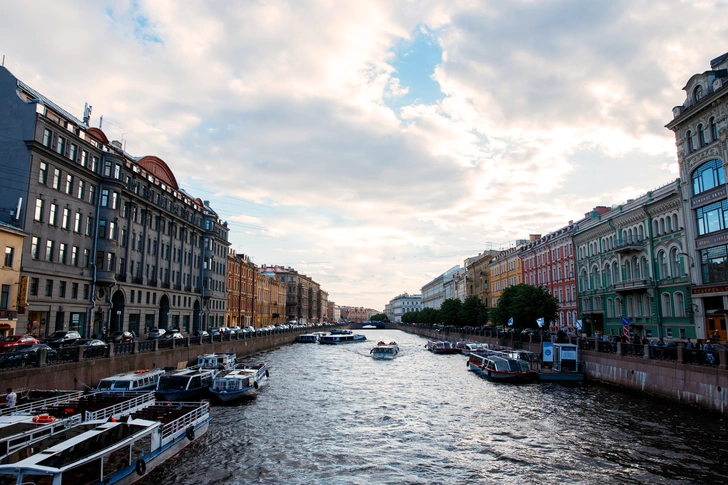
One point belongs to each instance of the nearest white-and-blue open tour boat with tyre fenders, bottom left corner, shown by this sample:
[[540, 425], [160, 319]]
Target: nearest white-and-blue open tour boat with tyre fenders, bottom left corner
[[110, 451]]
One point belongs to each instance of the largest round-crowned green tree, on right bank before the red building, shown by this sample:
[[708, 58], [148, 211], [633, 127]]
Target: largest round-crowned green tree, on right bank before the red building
[[525, 303]]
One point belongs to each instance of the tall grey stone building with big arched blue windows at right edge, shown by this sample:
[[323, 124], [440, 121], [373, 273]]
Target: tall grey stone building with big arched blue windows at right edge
[[701, 130]]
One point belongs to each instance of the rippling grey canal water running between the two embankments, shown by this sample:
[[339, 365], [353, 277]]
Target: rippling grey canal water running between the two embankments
[[333, 415]]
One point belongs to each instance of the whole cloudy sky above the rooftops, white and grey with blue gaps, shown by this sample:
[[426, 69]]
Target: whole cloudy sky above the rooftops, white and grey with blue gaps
[[373, 145]]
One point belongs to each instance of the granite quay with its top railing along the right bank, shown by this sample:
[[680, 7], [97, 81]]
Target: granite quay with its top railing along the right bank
[[688, 376]]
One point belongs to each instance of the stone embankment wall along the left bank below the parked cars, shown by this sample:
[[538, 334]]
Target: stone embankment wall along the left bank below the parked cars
[[79, 375]]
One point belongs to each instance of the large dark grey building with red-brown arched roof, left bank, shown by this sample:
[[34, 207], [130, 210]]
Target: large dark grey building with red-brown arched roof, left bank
[[113, 241]]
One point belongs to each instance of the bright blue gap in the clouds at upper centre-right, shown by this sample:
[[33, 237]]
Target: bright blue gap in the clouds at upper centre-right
[[415, 62]]
